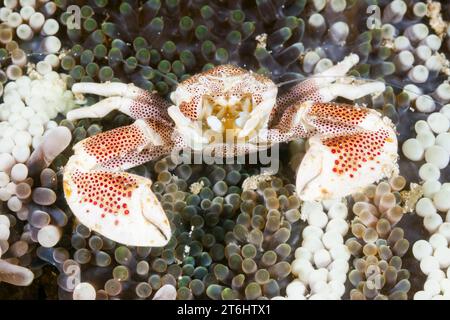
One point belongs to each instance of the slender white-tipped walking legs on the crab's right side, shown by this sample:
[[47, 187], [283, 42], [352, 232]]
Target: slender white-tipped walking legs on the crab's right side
[[325, 87]]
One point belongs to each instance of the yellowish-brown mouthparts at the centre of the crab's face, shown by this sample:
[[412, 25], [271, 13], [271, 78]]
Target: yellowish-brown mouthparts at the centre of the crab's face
[[226, 115]]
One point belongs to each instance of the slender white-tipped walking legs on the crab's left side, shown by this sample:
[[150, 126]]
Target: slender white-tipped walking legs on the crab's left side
[[127, 98]]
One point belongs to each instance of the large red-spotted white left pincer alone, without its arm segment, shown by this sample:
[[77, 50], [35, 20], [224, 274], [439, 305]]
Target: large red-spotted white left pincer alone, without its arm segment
[[127, 211]]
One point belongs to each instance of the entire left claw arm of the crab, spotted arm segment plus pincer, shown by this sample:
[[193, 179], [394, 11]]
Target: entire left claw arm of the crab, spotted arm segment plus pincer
[[119, 205]]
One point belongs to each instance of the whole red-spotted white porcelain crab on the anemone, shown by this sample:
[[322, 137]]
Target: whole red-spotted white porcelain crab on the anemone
[[231, 111]]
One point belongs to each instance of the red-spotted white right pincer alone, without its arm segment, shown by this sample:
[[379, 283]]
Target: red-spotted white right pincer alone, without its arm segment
[[332, 170]]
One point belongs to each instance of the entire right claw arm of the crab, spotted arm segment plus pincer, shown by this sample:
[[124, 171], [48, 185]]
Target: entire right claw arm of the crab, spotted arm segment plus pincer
[[350, 147]]
